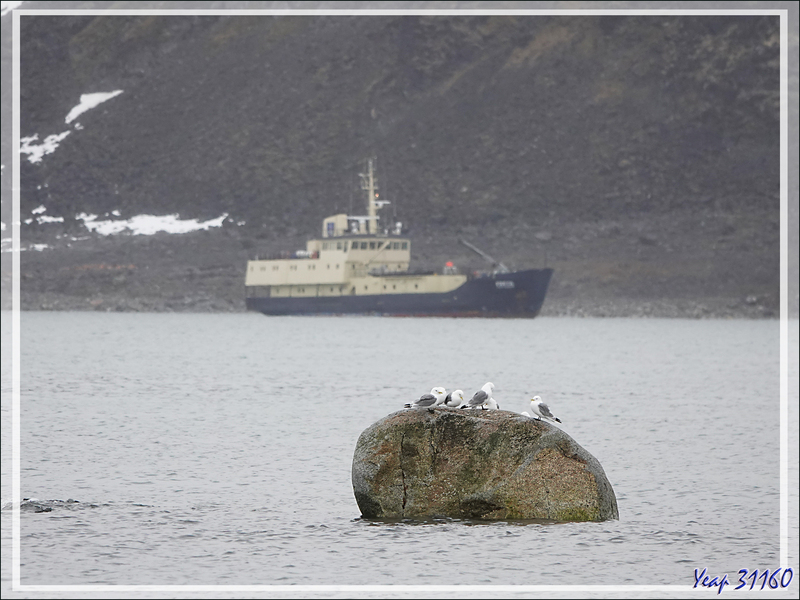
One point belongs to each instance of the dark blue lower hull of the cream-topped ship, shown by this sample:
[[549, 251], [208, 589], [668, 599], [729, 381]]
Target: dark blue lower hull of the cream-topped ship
[[515, 294]]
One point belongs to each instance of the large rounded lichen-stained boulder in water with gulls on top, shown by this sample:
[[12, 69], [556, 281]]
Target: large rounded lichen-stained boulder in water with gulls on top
[[476, 464]]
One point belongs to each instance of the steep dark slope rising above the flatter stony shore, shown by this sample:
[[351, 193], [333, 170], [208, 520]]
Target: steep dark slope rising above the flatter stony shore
[[472, 118]]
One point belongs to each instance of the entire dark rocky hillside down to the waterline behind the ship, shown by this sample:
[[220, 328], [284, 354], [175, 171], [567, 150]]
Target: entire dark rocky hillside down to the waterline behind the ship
[[638, 155]]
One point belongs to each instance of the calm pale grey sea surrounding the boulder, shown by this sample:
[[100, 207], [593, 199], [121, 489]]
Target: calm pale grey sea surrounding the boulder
[[216, 449]]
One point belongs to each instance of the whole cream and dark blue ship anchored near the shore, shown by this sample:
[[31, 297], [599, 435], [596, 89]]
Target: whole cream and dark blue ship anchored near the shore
[[357, 267]]
